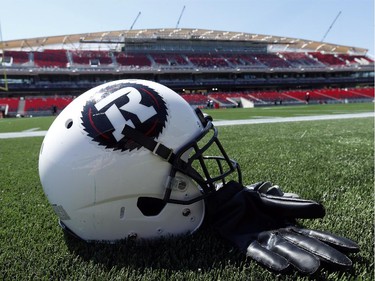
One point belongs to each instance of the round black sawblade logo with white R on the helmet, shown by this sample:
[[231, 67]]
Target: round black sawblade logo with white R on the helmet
[[106, 114]]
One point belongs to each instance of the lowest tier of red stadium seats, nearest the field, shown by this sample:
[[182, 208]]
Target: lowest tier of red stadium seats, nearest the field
[[44, 105]]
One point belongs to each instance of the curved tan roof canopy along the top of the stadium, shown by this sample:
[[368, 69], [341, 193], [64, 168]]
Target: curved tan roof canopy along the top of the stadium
[[110, 38]]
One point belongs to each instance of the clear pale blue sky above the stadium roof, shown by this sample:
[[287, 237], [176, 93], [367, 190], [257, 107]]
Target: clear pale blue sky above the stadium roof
[[307, 19]]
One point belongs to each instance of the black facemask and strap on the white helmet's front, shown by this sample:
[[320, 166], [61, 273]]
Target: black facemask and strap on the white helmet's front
[[192, 160]]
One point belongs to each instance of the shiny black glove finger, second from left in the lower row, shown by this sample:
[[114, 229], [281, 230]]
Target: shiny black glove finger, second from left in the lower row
[[302, 260]]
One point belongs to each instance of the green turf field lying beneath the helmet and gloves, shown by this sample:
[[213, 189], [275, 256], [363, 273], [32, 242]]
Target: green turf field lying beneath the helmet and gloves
[[328, 161]]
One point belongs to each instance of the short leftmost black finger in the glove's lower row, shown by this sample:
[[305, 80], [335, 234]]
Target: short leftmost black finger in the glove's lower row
[[267, 258]]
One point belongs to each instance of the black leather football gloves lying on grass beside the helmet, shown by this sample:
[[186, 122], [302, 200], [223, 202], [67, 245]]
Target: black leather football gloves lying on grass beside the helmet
[[261, 221]]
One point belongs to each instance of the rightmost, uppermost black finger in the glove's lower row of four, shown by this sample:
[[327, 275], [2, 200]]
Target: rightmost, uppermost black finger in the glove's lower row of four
[[341, 243]]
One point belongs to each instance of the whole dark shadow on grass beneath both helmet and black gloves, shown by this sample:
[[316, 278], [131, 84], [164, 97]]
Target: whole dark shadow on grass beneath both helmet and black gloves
[[203, 251]]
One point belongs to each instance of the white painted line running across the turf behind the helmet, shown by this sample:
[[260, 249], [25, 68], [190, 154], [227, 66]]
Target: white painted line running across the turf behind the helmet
[[218, 123]]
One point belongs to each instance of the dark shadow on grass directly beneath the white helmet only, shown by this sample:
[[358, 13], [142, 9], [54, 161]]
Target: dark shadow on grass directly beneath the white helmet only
[[200, 251]]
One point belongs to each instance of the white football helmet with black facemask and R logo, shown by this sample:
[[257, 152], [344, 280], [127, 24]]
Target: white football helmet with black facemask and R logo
[[121, 161]]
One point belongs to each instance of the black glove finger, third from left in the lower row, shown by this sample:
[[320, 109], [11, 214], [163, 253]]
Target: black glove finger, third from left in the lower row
[[325, 252]]
